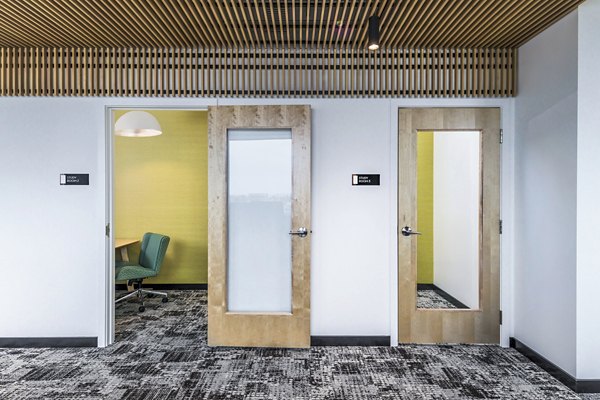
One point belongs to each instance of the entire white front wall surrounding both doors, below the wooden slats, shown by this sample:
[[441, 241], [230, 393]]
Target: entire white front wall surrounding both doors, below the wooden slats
[[54, 266]]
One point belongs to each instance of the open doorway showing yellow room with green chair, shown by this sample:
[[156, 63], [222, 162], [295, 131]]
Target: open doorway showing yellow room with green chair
[[158, 184]]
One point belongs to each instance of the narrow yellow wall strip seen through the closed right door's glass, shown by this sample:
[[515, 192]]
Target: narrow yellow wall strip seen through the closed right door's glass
[[425, 207]]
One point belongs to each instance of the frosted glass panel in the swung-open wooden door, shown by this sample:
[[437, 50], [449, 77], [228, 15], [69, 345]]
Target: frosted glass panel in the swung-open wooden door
[[259, 254]]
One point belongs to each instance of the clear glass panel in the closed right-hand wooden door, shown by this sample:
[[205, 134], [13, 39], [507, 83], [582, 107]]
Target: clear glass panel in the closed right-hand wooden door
[[448, 217]]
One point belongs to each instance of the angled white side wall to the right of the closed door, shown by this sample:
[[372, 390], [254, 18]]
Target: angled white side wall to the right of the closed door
[[545, 194]]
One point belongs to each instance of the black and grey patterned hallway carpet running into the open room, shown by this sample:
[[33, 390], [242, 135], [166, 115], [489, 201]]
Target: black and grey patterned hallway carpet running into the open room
[[162, 354]]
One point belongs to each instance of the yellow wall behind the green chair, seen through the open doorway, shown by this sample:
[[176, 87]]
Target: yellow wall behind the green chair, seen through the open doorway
[[161, 185]]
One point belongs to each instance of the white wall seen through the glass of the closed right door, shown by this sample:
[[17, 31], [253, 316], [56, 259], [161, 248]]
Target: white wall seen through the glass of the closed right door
[[457, 188]]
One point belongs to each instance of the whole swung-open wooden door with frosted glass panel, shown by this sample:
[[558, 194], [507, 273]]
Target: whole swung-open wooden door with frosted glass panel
[[259, 226]]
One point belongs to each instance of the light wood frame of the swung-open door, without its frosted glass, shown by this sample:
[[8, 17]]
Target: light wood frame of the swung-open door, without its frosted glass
[[258, 329]]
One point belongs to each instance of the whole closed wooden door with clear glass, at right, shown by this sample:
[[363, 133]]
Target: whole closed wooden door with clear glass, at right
[[448, 225]]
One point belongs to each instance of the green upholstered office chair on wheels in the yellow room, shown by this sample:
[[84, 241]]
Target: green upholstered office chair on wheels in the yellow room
[[152, 254]]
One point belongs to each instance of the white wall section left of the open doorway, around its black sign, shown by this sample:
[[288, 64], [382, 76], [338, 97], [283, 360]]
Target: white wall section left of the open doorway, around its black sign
[[52, 235]]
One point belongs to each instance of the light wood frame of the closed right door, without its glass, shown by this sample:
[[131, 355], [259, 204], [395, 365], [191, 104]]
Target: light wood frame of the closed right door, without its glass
[[449, 326]]
